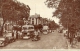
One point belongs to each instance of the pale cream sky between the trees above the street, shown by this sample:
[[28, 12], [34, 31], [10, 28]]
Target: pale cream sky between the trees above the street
[[38, 6]]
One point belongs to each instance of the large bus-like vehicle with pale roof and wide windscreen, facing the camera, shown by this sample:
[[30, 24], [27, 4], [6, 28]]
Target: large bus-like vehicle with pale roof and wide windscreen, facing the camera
[[27, 31]]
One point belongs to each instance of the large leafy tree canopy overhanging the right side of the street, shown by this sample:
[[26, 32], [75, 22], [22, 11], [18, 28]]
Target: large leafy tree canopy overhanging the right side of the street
[[68, 11]]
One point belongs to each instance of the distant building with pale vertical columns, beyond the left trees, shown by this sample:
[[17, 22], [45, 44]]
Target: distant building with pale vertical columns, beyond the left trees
[[37, 19]]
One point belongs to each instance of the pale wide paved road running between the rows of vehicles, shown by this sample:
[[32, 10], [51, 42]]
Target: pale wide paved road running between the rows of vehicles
[[49, 41]]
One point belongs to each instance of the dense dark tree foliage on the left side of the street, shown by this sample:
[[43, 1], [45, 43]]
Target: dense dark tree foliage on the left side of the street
[[12, 10]]
